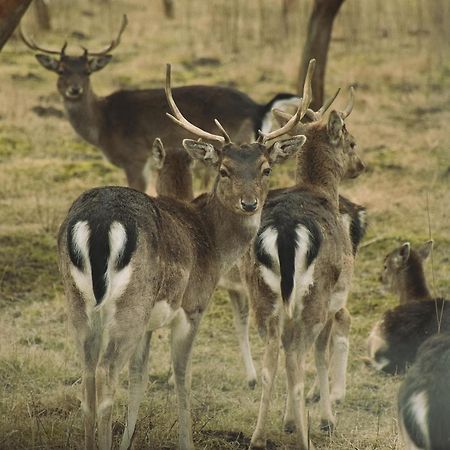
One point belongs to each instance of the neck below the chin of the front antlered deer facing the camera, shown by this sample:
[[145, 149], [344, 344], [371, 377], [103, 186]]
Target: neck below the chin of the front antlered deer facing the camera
[[232, 232]]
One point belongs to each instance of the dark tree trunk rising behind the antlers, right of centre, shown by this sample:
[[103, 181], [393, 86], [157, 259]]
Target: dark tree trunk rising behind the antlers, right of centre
[[316, 46]]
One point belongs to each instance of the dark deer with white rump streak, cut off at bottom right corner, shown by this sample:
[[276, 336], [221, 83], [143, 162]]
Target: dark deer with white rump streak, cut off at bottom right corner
[[424, 397]]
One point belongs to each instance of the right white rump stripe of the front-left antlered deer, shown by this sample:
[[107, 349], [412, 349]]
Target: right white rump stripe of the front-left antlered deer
[[116, 280]]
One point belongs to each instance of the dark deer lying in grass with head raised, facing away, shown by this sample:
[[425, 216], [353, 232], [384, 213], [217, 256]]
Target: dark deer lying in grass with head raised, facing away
[[394, 341]]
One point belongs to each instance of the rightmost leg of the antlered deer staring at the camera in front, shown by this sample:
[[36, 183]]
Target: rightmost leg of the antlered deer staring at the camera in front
[[184, 330]]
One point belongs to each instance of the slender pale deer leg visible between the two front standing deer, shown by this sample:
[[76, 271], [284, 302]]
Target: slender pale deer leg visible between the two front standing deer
[[240, 306]]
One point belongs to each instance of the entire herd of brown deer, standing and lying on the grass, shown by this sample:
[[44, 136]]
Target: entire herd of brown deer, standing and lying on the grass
[[132, 263]]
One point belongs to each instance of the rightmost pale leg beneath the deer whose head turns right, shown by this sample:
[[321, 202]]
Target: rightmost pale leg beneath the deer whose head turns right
[[339, 349]]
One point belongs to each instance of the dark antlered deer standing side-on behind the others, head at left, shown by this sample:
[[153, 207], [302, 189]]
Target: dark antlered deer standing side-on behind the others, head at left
[[124, 124]]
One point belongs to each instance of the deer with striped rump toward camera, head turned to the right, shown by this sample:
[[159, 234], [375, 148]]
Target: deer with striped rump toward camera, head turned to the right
[[299, 272]]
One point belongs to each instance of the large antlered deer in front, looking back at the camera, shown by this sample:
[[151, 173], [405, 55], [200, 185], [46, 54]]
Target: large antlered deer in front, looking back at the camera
[[131, 264]]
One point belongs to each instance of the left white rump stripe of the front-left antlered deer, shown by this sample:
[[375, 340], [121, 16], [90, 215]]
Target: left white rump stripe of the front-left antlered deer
[[80, 239]]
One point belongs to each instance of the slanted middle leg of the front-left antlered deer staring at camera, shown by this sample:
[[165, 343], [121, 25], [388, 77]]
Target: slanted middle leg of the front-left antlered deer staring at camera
[[138, 375]]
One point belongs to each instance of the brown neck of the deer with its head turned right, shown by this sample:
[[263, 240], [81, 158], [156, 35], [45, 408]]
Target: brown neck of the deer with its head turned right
[[318, 169]]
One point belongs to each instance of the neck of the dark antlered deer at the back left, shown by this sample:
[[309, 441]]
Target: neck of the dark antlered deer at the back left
[[85, 116]]
